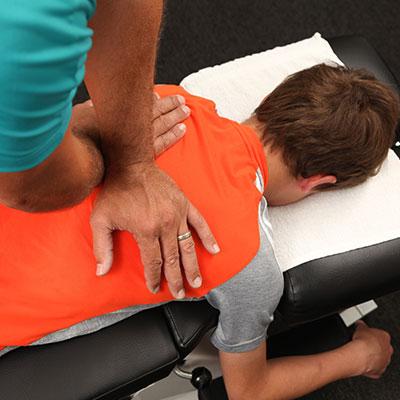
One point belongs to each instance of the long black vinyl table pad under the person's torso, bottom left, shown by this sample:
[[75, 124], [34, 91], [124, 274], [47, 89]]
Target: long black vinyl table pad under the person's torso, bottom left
[[104, 365]]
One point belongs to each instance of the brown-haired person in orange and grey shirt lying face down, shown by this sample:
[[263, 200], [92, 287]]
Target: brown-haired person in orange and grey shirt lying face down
[[323, 128]]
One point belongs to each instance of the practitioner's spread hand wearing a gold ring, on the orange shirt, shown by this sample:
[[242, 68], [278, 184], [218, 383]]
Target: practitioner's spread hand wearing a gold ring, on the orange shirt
[[147, 203]]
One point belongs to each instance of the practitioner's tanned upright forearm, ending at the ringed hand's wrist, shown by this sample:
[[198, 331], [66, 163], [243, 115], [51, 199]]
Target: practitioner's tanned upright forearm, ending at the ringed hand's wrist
[[120, 76]]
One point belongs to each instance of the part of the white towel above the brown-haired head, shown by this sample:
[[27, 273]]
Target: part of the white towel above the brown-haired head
[[237, 87]]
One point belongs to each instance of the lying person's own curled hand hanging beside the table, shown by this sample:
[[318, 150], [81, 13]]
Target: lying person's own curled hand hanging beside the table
[[377, 349]]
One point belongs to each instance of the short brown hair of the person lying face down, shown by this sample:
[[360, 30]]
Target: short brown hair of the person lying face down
[[331, 120]]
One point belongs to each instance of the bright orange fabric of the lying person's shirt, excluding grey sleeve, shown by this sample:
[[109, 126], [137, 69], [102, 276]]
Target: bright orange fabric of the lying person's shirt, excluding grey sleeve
[[47, 267]]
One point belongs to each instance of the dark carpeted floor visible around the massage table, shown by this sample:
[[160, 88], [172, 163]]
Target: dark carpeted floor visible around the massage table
[[200, 33]]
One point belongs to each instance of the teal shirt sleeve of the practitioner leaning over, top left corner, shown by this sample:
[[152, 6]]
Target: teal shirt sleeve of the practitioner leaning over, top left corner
[[43, 48]]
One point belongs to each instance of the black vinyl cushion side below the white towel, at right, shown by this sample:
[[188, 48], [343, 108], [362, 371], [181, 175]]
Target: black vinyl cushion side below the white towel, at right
[[327, 285]]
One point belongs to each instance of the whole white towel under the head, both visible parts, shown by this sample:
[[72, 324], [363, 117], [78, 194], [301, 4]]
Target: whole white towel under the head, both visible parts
[[325, 223]]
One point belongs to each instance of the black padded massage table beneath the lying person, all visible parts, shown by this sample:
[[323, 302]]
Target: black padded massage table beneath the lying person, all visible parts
[[120, 360]]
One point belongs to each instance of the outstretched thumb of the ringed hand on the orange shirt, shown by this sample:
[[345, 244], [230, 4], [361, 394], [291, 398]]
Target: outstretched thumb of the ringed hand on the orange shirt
[[102, 248]]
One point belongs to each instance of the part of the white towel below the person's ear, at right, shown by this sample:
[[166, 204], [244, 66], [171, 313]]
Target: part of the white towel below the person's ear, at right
[[338, 221]]
